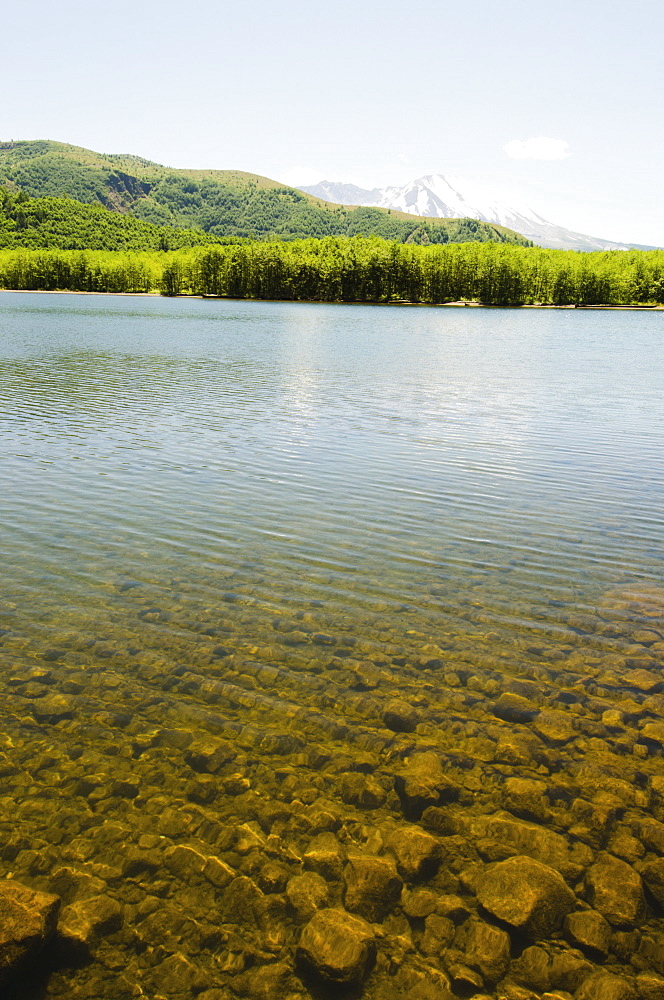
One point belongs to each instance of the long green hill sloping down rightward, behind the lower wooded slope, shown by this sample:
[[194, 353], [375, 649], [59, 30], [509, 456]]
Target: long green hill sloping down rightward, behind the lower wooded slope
[[222, 203]]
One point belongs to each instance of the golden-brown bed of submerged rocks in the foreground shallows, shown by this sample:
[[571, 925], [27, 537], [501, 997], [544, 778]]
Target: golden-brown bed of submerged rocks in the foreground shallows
[[435, 819]]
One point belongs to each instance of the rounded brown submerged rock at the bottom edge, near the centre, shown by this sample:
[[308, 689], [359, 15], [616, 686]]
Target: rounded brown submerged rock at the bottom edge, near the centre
[[337, 946]]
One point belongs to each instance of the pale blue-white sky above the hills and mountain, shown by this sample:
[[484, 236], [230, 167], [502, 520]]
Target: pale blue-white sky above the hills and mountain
[[368, 92]]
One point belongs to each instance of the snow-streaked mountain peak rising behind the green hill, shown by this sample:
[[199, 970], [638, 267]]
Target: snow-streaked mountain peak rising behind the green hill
[[449, 197]]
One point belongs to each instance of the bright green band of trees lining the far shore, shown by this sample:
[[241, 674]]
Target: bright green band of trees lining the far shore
[[355, 269]]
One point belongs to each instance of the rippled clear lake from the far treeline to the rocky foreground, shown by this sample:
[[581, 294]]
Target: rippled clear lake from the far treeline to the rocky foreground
[[285, 586]]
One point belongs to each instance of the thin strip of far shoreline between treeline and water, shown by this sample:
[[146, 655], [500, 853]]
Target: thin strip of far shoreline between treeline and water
[[339, 302]]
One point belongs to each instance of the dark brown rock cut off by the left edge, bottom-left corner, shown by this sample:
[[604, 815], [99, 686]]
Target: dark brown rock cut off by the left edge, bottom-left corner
[[27, 921]]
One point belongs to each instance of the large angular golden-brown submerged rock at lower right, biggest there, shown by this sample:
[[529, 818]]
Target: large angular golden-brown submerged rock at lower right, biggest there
[[527, 895]]
